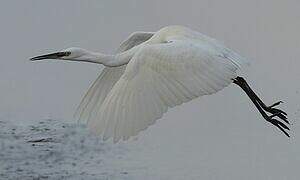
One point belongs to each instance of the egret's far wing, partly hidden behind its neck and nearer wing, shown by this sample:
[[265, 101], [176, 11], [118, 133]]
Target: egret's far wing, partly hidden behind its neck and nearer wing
[[96, 94]]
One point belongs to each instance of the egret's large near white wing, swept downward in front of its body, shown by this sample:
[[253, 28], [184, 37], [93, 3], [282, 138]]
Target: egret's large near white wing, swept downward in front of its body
[[160, 76]]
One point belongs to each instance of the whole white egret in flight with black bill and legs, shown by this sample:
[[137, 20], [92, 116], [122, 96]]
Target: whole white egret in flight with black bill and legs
[[154, 71]]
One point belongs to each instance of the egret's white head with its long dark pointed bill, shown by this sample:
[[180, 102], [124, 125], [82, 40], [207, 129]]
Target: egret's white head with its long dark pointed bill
[[72, 53]]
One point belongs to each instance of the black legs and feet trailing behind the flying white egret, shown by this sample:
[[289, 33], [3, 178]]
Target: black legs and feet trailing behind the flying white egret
[[262, 108]]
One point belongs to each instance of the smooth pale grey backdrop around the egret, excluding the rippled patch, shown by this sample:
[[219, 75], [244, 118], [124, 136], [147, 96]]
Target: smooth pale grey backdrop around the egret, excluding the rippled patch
[[214, 137]]
